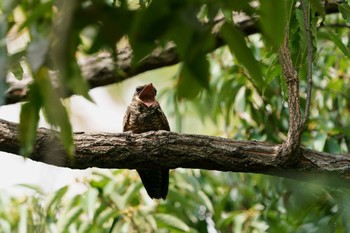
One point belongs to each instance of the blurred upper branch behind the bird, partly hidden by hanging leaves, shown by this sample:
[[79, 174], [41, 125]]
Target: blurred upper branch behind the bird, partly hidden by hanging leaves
[[102, 69]]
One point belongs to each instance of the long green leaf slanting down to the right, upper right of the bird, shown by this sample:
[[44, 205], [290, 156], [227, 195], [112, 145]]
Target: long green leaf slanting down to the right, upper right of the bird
[[244, 55]]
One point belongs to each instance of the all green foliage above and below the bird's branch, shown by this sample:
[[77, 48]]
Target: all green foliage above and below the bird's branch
[[237, 89]]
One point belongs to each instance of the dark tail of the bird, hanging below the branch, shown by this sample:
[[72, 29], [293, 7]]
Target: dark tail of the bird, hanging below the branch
[[156, 182]]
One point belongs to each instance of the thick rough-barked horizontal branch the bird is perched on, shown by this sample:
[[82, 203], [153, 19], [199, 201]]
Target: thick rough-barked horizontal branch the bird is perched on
[[164, 149]]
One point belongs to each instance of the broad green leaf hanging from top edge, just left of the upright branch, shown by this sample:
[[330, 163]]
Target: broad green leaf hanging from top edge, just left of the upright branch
[[273, 21]]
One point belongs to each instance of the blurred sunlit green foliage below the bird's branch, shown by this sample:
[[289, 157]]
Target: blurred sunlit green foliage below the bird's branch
[[198, 201]]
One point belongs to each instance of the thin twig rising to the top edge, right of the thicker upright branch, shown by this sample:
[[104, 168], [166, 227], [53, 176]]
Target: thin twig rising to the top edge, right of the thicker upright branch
[[309, 64]]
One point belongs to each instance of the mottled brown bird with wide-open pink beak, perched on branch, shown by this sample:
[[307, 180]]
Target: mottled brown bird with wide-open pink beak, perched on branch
[[142, 115]]
